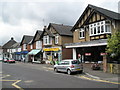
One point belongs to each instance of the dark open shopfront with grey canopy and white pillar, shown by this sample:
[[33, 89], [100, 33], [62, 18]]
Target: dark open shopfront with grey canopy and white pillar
[[89, 52]]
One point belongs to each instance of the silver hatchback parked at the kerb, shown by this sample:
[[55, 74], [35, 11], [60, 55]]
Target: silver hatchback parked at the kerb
[[68, 66]]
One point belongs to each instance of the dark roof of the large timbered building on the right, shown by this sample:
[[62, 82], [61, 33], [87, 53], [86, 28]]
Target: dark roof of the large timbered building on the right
[[106, 13]]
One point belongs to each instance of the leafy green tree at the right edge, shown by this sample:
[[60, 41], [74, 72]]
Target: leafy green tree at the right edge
[[113, 46]]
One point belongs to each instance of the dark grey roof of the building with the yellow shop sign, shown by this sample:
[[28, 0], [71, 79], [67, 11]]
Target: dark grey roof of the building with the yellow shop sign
[[62, 29]]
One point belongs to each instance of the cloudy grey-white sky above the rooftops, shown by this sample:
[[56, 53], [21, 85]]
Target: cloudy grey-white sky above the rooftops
[[24, 17]]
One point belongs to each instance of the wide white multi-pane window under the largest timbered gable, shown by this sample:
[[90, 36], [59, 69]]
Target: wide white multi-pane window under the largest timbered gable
[[100, 28]]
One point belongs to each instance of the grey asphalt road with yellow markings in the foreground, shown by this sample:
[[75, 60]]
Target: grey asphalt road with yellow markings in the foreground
[[20, 75]]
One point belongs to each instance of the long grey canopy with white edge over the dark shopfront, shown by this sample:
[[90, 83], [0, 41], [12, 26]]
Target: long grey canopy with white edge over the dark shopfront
[[101, 42]]
